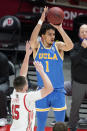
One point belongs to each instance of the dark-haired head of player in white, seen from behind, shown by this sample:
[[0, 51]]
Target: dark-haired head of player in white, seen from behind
[[19, 83]]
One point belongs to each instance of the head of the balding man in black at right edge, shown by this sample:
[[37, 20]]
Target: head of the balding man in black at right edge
[[83, 31]]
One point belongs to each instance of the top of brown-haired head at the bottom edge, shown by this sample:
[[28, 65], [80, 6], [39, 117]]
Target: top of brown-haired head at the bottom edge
[[60, 126]]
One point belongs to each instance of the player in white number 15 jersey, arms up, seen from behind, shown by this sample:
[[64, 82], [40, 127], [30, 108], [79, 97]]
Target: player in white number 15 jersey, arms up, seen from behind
[[23, 103]]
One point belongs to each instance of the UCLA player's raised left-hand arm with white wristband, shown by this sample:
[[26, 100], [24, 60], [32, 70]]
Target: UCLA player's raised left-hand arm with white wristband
[[37, 28]]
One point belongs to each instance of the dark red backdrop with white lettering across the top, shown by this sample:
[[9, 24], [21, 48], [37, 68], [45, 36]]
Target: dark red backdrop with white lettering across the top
[[12, 7]]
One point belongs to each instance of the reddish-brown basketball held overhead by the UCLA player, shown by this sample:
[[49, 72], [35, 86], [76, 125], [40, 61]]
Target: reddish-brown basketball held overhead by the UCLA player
[[55, 15]]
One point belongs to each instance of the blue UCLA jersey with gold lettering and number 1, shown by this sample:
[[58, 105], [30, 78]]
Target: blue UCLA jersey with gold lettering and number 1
[[53, 65]]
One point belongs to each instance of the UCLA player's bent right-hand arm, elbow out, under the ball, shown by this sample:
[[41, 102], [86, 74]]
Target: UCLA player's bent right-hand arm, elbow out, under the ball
[[67, 44]]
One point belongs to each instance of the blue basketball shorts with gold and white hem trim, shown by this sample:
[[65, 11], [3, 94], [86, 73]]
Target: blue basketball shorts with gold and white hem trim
[[55, 100]]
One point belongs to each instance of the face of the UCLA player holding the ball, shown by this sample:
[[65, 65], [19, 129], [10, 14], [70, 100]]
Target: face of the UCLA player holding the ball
[[49, 37]]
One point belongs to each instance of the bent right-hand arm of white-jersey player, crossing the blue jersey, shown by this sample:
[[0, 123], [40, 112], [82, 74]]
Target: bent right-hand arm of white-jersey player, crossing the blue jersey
[[48, 88]]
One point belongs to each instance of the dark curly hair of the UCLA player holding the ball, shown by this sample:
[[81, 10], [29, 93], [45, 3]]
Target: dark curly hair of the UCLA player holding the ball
[[45, 27]]
